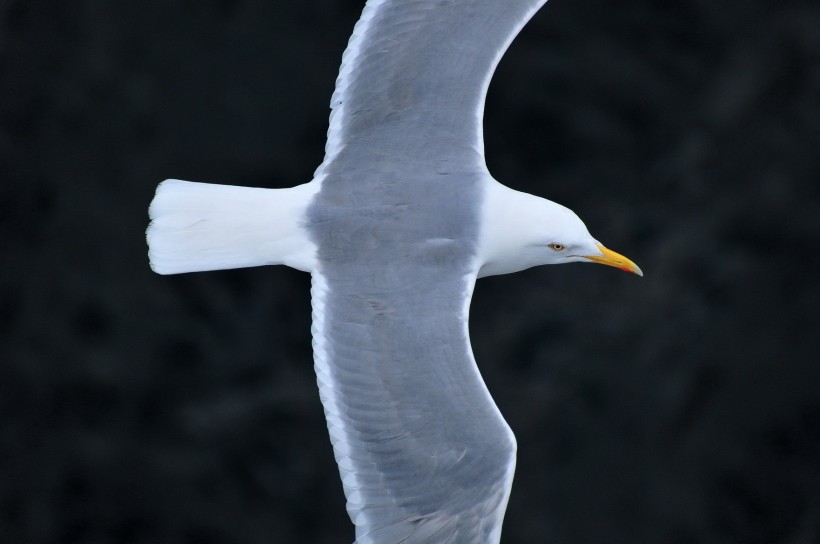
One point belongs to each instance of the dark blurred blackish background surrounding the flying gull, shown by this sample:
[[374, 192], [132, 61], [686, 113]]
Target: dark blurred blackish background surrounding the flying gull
[[683, 407]]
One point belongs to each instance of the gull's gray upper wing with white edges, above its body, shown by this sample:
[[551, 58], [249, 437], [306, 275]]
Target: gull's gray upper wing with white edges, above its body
[[413, 81]]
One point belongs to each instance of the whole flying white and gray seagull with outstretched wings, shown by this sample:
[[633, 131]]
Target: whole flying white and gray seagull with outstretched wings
[[399, 221]]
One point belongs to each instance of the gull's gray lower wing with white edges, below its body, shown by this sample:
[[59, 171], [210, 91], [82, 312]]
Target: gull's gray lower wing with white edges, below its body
[[423, 452]]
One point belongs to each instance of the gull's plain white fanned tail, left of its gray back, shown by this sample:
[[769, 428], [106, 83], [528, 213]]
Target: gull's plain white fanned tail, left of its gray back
[[203, 226]]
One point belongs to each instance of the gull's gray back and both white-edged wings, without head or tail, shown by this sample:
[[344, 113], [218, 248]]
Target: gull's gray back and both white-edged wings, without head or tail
[[424, 453]]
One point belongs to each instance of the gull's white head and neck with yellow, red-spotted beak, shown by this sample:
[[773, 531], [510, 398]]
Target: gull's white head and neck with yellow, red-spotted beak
[[520, 231]]
